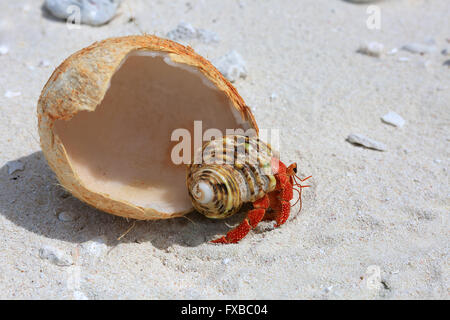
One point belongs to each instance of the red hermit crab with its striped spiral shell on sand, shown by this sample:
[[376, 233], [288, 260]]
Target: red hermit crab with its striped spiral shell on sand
[[238, 169]]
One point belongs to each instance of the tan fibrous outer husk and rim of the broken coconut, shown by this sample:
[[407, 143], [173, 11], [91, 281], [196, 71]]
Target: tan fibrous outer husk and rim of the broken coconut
[[80, 84]]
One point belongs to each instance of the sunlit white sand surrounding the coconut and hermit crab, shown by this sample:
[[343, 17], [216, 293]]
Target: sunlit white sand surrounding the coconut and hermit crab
[[367, 211]]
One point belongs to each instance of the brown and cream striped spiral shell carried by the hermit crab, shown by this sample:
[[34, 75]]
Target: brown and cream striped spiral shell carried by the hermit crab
[[232, 171]]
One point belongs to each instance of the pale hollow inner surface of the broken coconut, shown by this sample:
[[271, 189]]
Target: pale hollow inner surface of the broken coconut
[[123, 148]]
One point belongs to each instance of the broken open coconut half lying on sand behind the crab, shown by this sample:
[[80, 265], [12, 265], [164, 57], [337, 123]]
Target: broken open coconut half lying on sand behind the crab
[[107, 113]]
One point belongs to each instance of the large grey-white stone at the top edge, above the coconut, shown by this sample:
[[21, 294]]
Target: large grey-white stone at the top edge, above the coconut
[[93, 12]]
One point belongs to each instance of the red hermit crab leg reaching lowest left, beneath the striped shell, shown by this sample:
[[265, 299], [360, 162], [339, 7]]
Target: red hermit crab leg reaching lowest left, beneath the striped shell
[[254, 216]]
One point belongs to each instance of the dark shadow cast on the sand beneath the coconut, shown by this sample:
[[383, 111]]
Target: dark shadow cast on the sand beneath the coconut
[[32, 199]]
